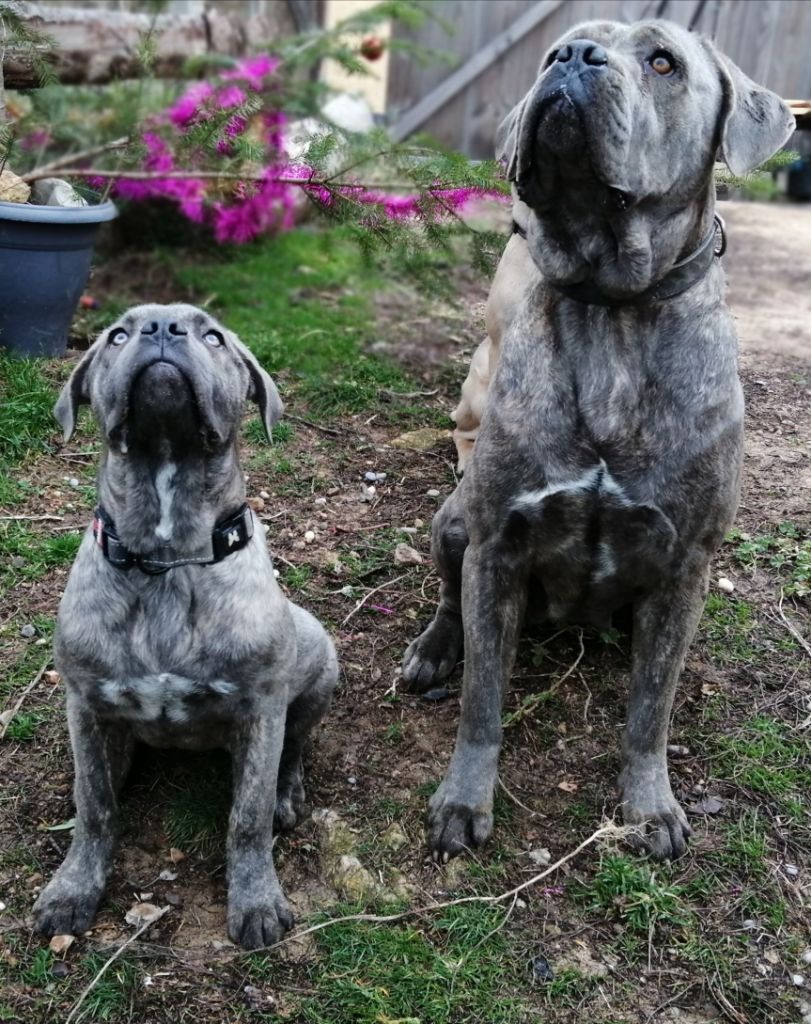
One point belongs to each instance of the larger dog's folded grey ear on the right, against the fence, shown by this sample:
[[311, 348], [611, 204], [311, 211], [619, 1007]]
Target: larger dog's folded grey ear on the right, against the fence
[[755, 122]]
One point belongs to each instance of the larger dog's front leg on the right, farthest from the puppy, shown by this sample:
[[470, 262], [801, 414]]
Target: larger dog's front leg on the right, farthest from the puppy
[[664, 626]]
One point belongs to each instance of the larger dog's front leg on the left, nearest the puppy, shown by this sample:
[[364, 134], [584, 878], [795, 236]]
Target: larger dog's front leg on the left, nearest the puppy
[[494, 598]]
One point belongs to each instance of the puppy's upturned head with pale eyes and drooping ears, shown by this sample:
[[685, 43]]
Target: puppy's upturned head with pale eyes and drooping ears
[[168, 372]]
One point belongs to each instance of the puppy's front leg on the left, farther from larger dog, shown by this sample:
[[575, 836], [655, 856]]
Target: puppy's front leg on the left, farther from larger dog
[[102, 756]]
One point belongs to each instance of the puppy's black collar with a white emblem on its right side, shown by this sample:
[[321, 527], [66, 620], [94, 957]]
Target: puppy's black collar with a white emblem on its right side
[[229, 536]]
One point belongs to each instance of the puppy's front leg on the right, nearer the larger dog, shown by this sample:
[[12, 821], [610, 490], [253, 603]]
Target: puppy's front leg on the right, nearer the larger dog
[[259, 914]]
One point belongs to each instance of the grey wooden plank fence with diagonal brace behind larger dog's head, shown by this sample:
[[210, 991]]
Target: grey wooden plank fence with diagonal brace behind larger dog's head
[[498, 47]]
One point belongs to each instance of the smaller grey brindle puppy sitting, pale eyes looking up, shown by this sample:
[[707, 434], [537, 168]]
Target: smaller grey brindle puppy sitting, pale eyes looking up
[[173, 629]]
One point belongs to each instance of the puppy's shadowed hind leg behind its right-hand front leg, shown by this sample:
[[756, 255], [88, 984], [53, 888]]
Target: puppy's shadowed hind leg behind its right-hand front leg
[[304, 715]]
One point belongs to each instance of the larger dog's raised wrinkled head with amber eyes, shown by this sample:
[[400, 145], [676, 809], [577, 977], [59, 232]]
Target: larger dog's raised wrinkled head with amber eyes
[[618, 137]]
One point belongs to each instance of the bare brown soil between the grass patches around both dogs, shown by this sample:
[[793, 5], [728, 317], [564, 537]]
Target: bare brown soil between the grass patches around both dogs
[[380, 747]]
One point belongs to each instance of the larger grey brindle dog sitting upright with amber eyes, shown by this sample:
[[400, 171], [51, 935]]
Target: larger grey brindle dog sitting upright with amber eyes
[[608, 465]]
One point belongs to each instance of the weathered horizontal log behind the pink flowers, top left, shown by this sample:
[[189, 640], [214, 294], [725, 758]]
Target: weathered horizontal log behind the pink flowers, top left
[[98, 46]]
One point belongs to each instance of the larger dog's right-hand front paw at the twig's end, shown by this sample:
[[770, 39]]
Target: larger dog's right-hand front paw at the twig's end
[[650, 806]]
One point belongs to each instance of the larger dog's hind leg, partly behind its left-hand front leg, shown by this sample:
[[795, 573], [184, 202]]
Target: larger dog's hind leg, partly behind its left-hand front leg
[[435, 654]]
